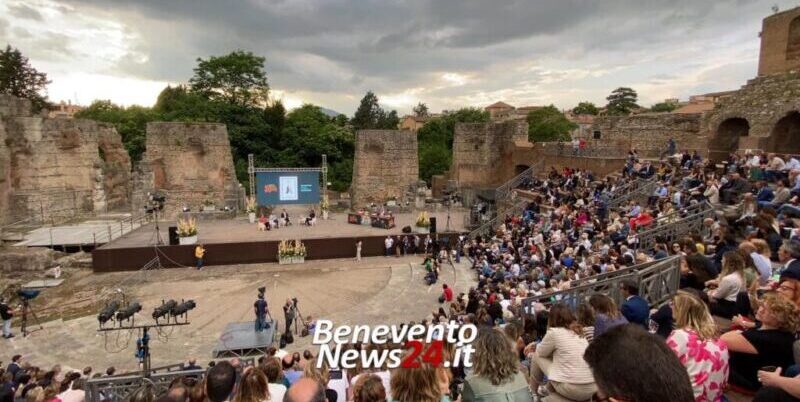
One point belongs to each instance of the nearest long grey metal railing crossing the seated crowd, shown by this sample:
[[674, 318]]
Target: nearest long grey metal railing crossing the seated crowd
[[658, 281]]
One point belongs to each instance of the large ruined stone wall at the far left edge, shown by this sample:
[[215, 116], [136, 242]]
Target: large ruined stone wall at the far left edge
[[56, 169]]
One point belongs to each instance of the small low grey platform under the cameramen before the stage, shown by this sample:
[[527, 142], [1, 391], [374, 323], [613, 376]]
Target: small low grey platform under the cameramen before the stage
[[240, 339]]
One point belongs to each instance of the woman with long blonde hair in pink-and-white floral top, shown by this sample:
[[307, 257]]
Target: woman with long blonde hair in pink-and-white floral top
[[696, 342]]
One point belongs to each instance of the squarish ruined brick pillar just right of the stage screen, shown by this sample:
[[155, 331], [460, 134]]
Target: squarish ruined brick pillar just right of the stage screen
[[386, 166]]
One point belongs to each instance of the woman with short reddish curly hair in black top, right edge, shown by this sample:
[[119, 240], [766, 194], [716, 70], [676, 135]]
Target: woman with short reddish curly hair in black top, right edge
[[768, 345]]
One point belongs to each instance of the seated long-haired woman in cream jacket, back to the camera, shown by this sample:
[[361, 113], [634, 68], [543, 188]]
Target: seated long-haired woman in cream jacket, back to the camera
[[560, 357]]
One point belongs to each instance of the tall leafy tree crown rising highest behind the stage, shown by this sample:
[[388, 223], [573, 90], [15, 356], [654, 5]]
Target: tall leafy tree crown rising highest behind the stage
[[237, 78]]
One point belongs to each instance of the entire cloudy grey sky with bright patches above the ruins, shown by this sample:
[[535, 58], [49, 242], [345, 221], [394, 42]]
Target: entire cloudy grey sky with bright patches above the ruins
[[446, 53]]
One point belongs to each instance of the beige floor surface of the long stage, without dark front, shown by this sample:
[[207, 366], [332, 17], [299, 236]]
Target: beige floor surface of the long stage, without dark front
[[240, 230]]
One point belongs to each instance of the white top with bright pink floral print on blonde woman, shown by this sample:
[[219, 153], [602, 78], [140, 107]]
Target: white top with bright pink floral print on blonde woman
[[705, 361]]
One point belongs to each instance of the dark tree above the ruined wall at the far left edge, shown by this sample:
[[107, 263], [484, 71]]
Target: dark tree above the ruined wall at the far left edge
[[19, 78]]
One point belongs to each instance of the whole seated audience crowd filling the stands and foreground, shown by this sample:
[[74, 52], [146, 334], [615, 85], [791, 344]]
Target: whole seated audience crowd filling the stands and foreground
[[732, 326]]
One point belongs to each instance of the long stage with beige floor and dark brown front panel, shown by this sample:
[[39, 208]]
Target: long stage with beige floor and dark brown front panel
[[230, 242]]
